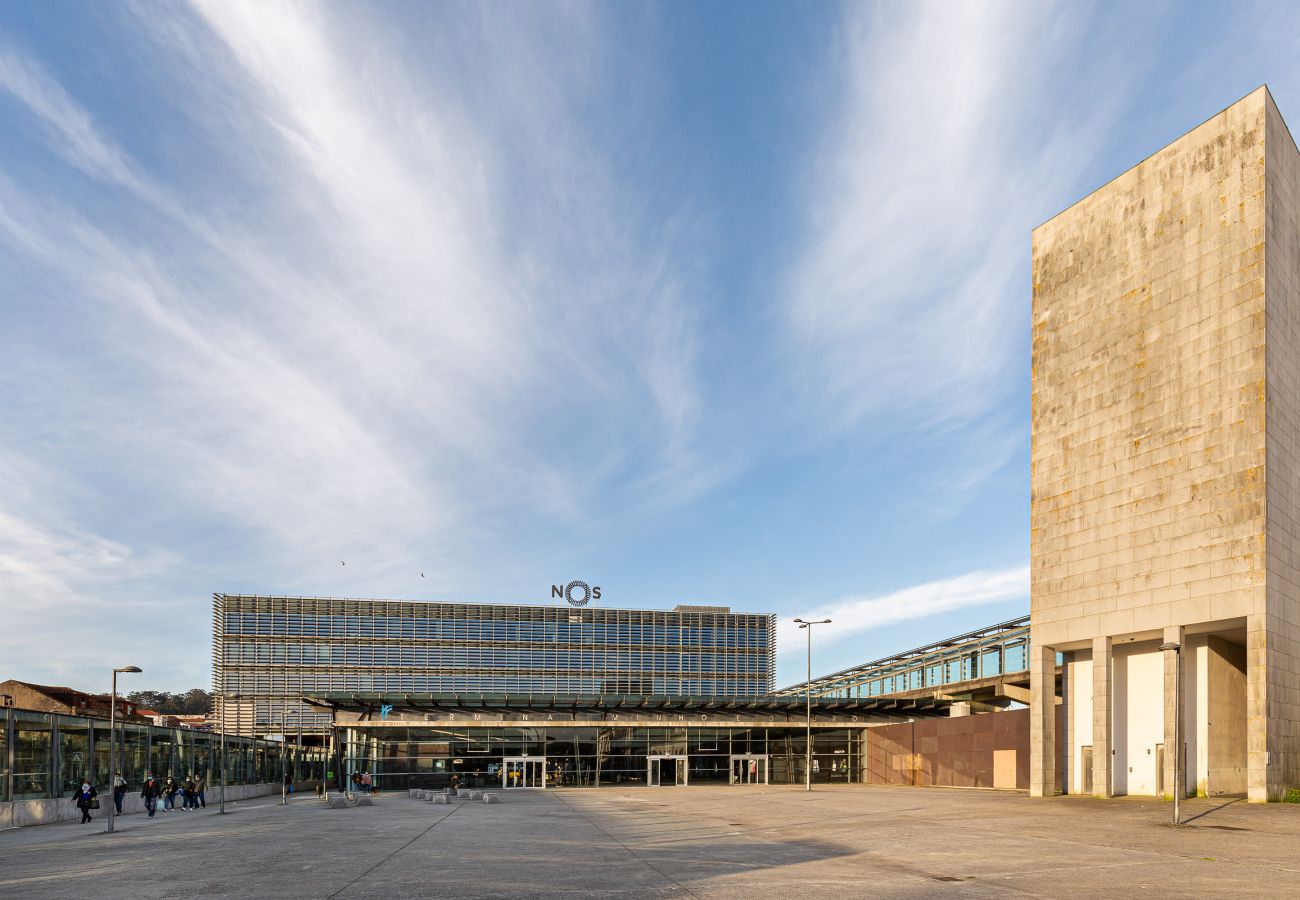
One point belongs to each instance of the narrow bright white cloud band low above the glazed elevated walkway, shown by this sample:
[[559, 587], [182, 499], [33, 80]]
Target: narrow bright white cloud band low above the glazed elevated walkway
[[856, 616]]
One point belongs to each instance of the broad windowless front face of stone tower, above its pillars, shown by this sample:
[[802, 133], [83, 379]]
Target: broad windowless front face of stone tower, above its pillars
[[1149, 455]]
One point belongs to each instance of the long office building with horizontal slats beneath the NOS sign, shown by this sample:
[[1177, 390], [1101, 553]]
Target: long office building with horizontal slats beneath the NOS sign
[[271, 652]]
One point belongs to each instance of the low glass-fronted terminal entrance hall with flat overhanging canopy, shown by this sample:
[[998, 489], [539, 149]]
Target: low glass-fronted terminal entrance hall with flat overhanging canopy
[[556, 742]]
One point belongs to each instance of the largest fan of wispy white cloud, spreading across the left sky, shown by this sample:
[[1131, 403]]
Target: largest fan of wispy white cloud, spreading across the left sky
[[378, 345]]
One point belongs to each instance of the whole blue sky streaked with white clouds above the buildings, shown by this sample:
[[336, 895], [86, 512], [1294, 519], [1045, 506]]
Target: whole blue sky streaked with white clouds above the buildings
[[712, 304]]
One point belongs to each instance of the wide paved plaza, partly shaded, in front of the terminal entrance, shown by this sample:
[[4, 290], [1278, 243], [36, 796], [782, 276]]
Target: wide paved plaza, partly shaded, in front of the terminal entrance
[[779, 842]]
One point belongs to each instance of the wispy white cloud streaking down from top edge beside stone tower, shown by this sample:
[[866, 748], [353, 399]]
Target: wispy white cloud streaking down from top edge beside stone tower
[[908, 305]]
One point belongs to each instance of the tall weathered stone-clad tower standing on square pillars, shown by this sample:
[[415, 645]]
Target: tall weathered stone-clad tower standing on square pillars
[[1167, 469]]
